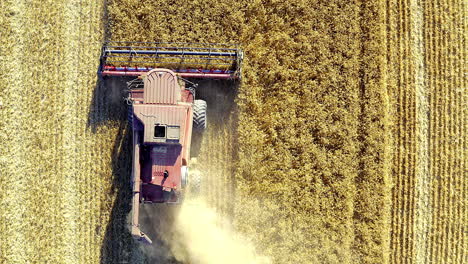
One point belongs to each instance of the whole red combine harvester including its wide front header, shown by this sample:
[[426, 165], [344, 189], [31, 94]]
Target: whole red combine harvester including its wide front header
[[163, 111]]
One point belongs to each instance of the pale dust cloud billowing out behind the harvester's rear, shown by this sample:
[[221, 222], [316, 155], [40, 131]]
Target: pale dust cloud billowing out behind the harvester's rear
[[193, 233]]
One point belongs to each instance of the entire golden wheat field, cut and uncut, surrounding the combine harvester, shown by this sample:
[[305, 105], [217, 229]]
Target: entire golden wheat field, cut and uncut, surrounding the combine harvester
[[345, 142]]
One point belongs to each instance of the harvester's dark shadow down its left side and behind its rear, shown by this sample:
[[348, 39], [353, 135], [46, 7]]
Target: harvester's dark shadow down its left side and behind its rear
[[109, 109]]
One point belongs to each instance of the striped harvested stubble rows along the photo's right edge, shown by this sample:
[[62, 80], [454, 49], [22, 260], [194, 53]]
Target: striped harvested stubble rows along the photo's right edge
[[427, 58]]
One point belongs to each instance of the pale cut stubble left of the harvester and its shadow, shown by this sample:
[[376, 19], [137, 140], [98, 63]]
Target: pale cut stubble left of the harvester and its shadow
[[55, 172]]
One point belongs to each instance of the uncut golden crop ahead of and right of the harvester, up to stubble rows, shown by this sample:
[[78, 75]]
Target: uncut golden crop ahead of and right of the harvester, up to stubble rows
[[311, 169]]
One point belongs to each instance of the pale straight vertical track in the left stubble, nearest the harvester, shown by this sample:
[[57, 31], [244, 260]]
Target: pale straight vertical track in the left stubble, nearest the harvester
[[69, 195]]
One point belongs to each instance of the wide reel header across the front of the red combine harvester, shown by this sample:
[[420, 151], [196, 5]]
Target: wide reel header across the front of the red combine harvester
[[188, 60]]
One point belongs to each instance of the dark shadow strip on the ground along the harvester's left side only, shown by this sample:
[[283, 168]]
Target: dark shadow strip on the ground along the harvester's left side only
[[109, 109]]
